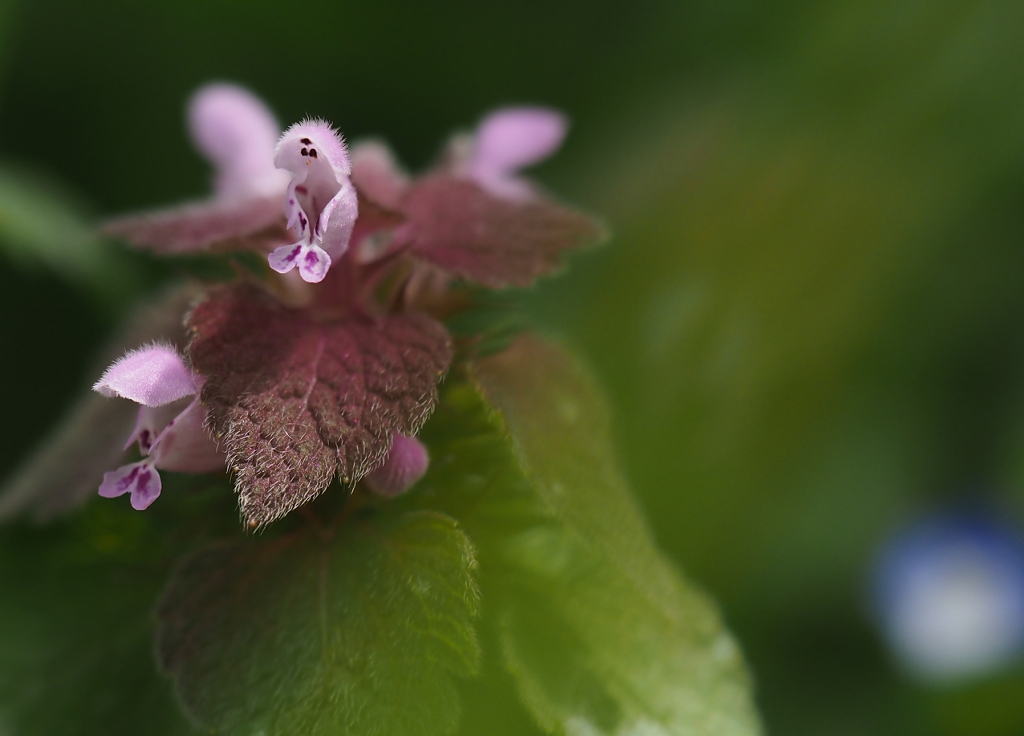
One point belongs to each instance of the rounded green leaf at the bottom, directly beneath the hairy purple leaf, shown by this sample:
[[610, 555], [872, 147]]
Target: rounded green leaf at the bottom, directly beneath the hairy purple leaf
[[355, 630]]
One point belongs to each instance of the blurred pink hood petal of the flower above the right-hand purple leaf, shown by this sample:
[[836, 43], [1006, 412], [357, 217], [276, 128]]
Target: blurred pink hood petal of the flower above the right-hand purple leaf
[[514, 139]]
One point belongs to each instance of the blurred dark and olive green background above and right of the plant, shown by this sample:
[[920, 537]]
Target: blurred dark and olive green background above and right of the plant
[[810, 321]]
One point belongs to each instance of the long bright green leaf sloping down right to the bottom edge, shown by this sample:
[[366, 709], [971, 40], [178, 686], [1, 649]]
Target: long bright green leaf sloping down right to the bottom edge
[[601, 634]]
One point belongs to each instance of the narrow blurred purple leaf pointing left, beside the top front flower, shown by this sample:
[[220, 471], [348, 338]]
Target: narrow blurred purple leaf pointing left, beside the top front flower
[[215, 225]]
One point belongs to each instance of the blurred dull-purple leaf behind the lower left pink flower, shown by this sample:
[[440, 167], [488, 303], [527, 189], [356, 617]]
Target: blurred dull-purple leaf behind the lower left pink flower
[[68, 467]]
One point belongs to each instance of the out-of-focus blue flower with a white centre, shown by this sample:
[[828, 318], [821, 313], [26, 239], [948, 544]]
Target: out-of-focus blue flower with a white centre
[[949, 592]]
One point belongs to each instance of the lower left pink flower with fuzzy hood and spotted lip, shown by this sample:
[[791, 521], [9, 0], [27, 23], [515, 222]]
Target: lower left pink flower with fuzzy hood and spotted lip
[[172, 438]]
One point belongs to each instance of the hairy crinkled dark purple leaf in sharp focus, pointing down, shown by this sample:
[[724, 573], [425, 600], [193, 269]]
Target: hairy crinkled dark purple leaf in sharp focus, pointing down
[[297, 403]]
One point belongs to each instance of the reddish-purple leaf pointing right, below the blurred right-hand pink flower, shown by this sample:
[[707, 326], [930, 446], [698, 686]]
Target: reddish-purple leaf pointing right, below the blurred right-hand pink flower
[[494, 242]]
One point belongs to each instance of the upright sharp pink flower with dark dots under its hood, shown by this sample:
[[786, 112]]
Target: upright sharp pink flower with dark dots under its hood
[[322, 204]]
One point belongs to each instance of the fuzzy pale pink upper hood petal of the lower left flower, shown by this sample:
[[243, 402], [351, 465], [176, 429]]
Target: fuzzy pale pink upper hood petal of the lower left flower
[[153, 376]]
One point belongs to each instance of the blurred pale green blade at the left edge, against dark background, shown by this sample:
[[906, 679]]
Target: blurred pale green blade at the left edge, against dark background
[[42, 226]]
